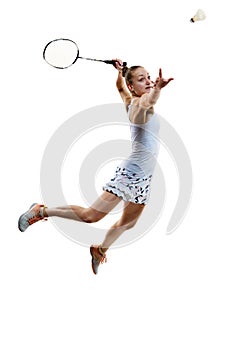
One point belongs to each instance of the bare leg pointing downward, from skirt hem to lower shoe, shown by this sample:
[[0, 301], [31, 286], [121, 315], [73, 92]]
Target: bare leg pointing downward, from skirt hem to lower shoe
[[128, 219]]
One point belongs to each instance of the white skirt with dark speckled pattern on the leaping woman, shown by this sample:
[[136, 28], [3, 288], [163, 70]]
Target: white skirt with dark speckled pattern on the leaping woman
[[129, 186]]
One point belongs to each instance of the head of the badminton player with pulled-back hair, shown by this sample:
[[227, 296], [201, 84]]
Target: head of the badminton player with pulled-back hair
[[141, 82]]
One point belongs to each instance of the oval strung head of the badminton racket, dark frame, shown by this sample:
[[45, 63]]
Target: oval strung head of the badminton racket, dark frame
[[61, 53]]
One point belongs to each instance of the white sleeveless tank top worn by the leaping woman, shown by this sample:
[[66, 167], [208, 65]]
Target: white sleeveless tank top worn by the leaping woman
[[145, 147]]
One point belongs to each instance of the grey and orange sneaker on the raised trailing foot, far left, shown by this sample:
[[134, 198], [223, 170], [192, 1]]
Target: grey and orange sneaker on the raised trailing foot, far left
[[34, 214]]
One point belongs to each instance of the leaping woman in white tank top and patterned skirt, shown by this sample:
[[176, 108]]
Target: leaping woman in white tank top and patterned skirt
[[133, 176]]
